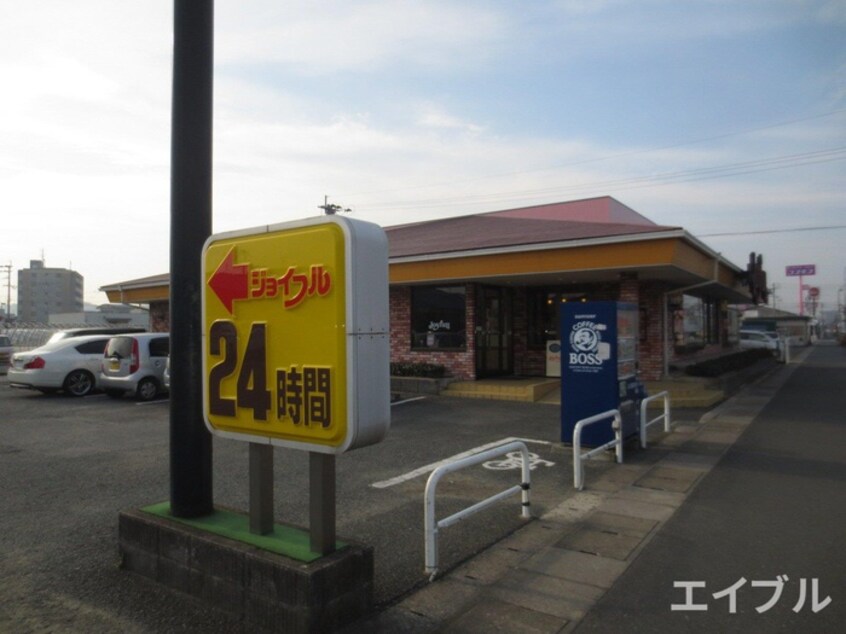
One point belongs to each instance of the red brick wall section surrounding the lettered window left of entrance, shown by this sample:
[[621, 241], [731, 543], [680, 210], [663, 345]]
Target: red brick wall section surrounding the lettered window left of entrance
[[460, 364]]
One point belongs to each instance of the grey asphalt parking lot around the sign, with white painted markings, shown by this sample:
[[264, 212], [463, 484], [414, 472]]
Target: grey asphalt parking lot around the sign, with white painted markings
[[69, 465]]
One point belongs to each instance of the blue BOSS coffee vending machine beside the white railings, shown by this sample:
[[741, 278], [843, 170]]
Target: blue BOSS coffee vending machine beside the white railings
[[599, 368]]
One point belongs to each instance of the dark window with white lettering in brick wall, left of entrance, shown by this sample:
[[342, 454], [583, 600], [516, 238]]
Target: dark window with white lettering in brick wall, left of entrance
[[438, 317]]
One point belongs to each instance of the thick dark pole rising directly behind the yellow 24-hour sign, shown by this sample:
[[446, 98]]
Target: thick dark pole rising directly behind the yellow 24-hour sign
[[190, 225]]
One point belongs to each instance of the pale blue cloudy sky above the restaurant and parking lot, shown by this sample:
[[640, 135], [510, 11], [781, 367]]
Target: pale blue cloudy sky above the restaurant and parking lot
[[726, 118]]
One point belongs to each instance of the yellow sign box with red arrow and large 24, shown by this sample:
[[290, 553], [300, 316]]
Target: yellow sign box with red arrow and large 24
[[295, 334]]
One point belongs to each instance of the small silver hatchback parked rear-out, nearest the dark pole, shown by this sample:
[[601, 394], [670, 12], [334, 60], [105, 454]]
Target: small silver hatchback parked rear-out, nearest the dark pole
[[134, 364]]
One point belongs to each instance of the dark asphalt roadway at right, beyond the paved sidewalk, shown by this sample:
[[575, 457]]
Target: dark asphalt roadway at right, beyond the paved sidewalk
[[771, 514]]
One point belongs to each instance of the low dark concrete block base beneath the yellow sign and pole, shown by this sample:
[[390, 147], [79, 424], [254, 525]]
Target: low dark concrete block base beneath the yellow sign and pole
[[265, 589]]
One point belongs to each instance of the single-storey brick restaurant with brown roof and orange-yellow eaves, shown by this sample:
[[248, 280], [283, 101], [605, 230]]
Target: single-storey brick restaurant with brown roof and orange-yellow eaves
[[481, 294]]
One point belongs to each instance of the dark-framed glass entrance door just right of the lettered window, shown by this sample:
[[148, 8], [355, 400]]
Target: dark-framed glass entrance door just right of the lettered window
[[494, 350]]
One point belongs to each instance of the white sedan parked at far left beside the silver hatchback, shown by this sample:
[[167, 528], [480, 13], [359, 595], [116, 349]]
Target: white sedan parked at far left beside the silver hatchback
[[72, 365]]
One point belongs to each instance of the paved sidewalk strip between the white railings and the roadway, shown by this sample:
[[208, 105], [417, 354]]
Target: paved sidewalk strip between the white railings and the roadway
[[548, 575]]
